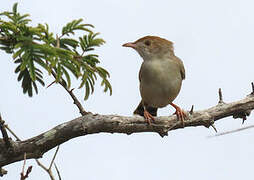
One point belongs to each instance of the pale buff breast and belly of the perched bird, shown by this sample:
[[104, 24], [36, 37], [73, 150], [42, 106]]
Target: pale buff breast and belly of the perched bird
[[160, 82]]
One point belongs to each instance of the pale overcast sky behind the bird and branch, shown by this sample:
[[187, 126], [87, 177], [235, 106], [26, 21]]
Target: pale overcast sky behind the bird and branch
[[215, 41]]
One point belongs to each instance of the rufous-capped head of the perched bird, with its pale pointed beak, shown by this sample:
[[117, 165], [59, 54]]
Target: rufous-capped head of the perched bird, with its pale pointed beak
[[152, 47]]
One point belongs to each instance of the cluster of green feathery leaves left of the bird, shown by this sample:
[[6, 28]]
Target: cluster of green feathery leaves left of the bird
[[35, 49]]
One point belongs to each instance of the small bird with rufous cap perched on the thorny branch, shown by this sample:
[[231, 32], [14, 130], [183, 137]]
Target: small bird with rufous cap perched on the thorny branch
[[160, 76]]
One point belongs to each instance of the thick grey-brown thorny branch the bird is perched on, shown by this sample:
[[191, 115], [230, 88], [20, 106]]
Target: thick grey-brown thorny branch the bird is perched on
[[92, 123]]
